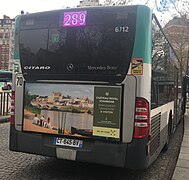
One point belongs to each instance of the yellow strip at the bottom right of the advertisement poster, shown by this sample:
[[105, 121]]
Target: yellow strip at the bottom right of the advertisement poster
[[106, 132]]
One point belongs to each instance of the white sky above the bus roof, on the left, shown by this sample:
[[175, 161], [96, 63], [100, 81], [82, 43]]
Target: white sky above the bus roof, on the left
[[12, 8]]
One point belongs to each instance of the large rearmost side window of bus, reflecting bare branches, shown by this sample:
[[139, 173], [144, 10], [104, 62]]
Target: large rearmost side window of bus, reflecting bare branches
[[164, 71]]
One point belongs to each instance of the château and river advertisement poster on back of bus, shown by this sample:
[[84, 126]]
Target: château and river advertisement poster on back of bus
[[72, 110]]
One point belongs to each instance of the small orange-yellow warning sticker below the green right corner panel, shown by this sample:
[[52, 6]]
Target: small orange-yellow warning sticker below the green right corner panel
[[137, 66]]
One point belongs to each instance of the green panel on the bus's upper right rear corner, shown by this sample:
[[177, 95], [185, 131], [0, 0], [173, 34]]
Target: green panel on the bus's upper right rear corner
[[143, 35]]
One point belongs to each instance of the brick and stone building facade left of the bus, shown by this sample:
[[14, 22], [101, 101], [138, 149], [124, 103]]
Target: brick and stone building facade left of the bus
[[6, 42]]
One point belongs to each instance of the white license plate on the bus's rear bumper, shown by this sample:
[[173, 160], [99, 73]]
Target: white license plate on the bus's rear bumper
[[68, 142]]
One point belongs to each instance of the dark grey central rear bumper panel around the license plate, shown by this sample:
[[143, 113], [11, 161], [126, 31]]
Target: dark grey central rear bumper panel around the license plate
[[113, 154]]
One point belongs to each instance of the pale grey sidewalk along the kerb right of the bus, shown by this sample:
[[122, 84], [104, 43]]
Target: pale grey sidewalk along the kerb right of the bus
[[182, 167]]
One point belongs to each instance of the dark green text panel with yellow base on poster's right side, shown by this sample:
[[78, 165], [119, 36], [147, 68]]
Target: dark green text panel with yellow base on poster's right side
[[106, 120]]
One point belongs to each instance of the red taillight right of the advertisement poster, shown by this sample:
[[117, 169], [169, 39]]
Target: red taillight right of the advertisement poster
[[141, 118]]
